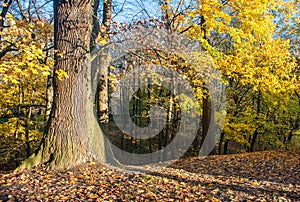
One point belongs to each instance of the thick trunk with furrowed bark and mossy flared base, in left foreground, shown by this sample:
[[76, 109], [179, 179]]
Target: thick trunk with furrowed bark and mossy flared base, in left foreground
[[74, 136]]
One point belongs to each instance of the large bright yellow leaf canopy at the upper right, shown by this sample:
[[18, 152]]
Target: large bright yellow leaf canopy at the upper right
[[250, 52]]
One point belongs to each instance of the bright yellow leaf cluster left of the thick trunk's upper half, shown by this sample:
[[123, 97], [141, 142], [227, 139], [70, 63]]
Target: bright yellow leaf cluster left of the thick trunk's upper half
[[26, 42]]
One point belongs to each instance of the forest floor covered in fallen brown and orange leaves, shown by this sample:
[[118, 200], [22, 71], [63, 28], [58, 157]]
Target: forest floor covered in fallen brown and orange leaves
[[258, 176]]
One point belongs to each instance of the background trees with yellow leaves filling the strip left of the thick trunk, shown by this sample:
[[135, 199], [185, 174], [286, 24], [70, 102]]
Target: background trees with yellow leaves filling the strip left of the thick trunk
[[26, 63]]
